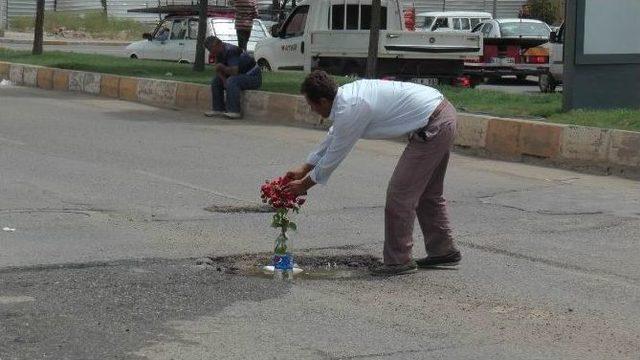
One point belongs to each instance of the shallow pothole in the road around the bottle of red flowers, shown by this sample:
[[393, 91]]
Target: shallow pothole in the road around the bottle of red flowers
[[316, 266]]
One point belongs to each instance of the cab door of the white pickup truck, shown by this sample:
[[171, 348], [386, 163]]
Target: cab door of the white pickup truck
[[292, 46]]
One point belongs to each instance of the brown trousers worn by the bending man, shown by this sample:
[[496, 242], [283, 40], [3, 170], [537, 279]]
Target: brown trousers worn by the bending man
[[415, 190]]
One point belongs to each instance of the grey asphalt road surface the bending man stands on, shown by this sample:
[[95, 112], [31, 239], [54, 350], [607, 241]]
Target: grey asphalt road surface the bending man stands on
[[107, 199]]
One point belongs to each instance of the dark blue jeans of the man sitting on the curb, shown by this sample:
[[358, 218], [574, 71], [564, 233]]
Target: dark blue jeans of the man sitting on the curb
[[235, 85]]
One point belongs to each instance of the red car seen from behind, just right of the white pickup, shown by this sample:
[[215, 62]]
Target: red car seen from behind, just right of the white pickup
[[511, 47]]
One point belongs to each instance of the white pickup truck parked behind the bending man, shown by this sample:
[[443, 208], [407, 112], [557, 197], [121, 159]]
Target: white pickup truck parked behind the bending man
[[320, 34]]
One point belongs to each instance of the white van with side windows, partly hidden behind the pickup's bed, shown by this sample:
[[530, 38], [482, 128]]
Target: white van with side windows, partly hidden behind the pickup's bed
[[450, 20]]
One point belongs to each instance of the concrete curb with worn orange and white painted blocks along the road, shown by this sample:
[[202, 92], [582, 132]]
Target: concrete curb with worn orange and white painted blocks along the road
[[613, 151]]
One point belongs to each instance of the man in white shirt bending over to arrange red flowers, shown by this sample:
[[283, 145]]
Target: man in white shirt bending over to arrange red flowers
[[379, 109]]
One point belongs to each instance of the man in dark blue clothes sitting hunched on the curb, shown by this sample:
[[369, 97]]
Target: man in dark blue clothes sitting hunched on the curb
[[235, 71]]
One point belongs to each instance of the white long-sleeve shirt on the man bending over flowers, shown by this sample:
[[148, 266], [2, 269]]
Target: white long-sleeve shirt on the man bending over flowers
[[371, 109]]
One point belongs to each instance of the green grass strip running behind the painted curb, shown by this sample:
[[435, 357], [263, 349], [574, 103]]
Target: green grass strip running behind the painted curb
[[545, 107]]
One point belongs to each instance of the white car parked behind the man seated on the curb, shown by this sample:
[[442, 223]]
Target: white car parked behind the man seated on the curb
[[180, 44]]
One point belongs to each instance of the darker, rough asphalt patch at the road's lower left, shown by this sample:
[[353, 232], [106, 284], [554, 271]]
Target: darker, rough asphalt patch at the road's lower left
[[112, 311]]
